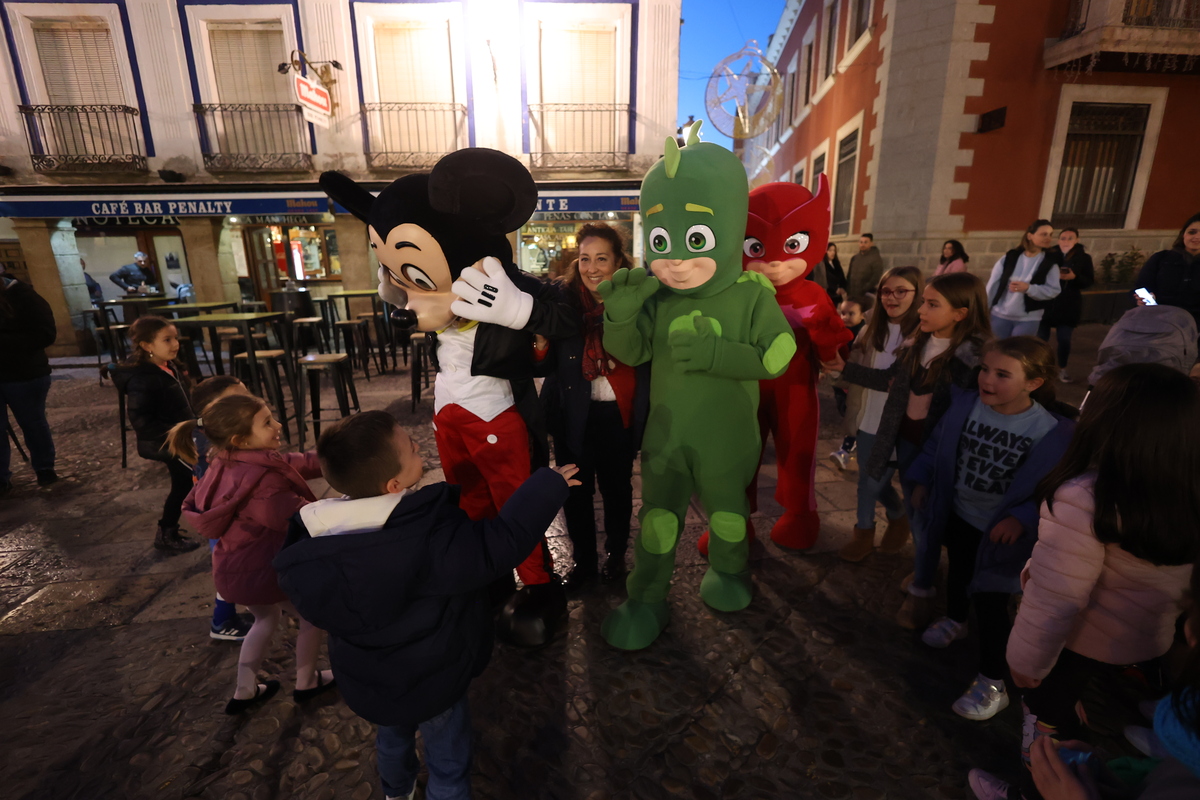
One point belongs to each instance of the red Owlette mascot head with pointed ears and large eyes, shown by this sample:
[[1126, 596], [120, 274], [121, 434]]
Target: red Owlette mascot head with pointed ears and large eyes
[[788, 231]]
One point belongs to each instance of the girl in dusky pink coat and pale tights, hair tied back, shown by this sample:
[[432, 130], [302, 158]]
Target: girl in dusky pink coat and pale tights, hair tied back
[[245, 501]]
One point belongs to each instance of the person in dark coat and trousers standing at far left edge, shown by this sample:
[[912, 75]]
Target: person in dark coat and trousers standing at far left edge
[[27, 329]]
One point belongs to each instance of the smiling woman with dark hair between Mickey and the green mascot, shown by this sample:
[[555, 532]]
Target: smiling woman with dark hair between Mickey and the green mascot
[[597, 411]]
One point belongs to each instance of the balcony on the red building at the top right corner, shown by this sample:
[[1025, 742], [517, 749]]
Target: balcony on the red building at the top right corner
[[1129, 37]]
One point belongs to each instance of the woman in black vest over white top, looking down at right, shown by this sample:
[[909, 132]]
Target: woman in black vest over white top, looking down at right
[[1024, 282]]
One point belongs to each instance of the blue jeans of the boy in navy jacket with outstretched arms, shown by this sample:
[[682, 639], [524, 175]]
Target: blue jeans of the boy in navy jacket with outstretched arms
[[448, 751]]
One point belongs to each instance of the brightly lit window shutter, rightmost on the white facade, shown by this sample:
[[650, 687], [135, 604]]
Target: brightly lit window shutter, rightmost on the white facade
[[579, 64]]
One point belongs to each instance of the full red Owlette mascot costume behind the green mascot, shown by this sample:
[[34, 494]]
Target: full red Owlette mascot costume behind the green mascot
[[787, 237]]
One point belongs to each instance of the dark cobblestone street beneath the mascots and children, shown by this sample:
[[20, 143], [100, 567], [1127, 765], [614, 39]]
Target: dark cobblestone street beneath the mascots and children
[[111, 687]]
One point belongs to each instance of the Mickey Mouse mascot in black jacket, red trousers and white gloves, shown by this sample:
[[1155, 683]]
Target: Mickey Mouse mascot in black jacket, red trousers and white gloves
[[441, 240]]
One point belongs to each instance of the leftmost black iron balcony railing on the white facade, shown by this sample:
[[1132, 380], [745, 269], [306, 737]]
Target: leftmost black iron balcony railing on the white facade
[[85, 139]]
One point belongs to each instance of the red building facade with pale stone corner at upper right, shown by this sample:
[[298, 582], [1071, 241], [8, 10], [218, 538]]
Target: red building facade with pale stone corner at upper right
[[963, 119]]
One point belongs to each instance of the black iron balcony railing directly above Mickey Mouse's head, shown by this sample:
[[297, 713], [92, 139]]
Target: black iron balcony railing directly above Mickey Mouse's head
[[404, 136]]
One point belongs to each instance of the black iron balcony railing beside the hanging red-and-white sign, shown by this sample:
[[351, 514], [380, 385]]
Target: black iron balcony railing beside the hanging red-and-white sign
[[254, 137]]
